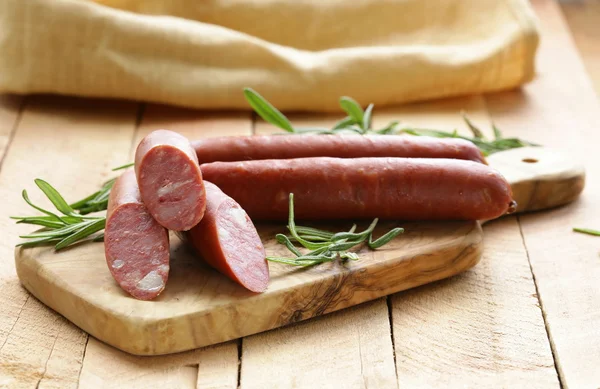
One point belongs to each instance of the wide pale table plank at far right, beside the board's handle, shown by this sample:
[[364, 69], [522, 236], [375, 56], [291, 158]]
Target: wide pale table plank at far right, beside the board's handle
[[560, 109]]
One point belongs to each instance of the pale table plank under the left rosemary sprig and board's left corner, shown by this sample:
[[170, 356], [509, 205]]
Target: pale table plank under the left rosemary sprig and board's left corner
[[38, 348]]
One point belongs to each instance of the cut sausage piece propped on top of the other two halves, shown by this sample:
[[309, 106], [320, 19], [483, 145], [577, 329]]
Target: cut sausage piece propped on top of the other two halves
[[170, 180]]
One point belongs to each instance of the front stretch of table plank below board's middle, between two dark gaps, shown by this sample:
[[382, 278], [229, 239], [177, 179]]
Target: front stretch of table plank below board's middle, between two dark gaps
[[347, 349]]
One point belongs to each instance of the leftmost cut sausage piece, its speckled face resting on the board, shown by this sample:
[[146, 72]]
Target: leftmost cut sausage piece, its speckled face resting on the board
[[135, 245]]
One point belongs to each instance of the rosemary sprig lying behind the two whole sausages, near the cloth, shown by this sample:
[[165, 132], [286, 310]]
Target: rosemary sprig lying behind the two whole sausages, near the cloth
[[360, 122]]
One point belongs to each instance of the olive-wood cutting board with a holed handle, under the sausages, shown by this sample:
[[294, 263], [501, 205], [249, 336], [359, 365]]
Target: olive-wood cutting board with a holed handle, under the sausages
[[200, 307]]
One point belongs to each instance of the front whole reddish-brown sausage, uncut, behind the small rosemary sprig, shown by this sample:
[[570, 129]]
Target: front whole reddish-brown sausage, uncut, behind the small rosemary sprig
[[386, 188]]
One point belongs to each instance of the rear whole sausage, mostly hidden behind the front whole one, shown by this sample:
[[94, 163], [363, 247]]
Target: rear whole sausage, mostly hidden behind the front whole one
[[245, 148]]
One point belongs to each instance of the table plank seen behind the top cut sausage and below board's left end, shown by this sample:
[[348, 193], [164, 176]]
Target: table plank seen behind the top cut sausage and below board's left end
[[211, 367]]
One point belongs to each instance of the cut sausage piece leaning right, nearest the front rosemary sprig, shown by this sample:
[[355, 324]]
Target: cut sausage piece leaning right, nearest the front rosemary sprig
[[227, 240]]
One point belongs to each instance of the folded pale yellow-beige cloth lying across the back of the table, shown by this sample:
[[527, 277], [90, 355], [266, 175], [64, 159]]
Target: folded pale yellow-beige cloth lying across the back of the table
[[300, 54]]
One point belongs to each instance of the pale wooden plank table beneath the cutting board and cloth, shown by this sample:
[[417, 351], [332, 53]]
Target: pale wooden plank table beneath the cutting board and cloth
[[527, 315]]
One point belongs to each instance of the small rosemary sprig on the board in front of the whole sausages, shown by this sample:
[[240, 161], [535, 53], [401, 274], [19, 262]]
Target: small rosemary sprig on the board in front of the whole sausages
[[326, 246]]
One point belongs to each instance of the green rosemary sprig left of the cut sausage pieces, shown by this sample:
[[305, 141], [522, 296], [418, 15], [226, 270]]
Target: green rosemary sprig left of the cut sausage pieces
[[59, 230]]
